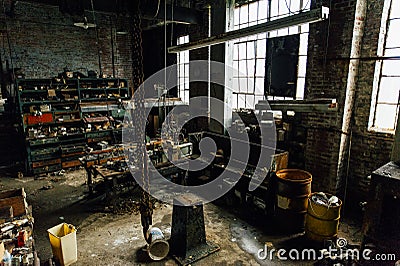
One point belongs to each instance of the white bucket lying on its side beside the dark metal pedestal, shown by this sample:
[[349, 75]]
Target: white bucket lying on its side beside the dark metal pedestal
[[158, 248]]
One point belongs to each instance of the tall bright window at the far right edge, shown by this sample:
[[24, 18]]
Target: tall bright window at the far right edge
[[386, 91]]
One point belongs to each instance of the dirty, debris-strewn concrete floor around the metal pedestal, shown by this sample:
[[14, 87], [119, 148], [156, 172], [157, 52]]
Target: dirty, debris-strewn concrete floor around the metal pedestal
[[105, 238]]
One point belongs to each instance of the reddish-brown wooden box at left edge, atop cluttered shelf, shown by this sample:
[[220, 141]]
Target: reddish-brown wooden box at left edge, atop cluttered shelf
[[15, 198]]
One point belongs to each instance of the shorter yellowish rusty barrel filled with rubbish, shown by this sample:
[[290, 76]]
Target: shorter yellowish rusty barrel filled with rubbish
[[322, 221]]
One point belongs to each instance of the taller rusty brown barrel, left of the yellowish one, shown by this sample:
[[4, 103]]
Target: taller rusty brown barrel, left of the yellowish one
[[293, 188]]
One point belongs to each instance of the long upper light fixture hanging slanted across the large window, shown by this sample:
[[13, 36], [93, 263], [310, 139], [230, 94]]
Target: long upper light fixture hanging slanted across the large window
[[314, 15]]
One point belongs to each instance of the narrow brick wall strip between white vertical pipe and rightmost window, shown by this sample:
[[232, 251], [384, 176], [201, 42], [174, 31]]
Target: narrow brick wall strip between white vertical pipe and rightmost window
[[369, 150]]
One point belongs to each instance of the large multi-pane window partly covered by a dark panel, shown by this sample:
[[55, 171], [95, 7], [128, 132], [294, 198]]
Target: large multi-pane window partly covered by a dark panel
[[255, 78]]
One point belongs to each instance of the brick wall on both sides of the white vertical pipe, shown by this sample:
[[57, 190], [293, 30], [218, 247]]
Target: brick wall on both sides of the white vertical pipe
[[328, 80]]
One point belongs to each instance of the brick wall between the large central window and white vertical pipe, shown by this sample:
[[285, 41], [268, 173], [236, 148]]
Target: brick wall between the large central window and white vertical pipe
[[326, 78]]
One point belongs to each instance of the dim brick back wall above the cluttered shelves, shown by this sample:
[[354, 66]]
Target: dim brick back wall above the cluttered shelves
[[44, 41]]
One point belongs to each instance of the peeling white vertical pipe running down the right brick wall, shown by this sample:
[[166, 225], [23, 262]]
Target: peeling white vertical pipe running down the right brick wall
[[356, 44]]
